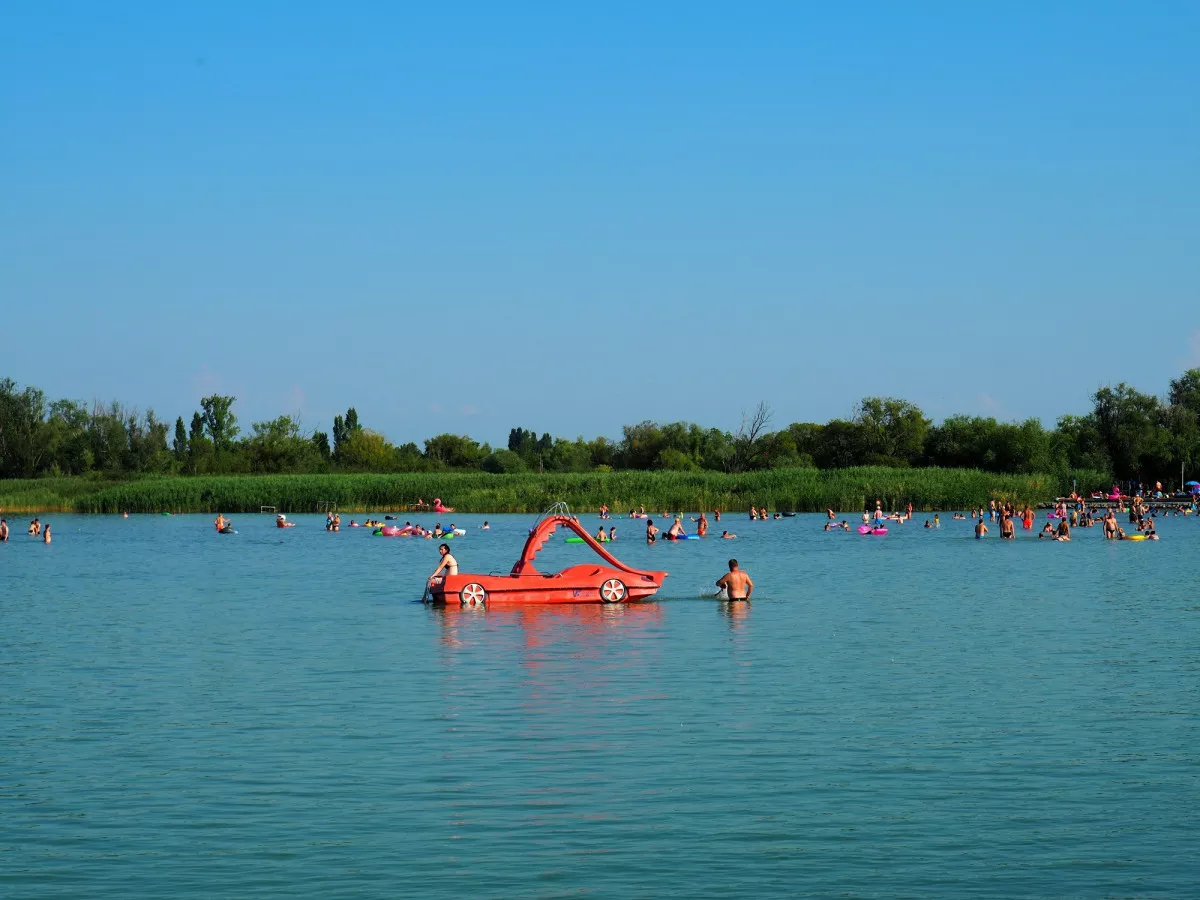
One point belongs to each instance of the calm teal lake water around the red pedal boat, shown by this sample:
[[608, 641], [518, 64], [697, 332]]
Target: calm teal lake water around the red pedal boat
[[193, 716]]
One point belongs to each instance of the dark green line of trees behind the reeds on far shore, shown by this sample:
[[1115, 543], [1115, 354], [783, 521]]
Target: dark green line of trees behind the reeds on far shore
[[1130, 435]]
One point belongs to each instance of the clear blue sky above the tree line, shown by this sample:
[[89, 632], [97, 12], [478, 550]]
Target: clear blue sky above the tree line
[[470, 217]]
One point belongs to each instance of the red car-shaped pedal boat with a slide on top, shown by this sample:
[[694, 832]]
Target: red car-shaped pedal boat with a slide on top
[[590, 584]]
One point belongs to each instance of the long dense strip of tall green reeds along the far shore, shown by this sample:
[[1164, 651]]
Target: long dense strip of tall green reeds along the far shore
[[778, 490]]
